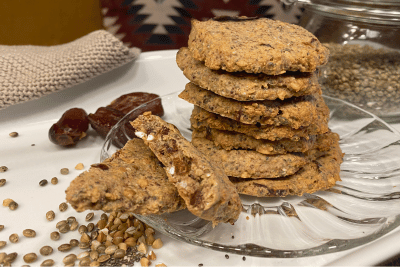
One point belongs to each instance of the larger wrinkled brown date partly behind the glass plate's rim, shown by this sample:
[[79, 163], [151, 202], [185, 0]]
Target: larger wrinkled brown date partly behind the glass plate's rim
[[106, 117]]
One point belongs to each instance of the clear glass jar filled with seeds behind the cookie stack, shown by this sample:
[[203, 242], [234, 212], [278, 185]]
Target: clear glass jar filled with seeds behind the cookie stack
[[364, 41]]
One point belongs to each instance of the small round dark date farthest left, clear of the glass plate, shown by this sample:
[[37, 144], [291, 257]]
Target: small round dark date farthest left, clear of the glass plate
[[71, 127]]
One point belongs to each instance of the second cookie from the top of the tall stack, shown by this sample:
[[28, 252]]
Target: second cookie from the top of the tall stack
[[244, 86]]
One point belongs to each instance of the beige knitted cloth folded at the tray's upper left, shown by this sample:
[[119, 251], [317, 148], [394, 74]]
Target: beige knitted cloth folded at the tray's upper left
[[29, 72]]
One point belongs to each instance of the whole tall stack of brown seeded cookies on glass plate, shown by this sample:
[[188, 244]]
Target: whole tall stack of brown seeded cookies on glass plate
[[258, 105]]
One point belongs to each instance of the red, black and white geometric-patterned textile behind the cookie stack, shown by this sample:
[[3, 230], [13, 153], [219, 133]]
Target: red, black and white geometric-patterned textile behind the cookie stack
[[165, 24]]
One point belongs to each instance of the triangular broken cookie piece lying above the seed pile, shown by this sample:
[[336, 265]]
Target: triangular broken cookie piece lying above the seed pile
[[132, 179]]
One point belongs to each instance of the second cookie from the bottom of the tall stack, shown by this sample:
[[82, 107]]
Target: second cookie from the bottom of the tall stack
[[248, 163]]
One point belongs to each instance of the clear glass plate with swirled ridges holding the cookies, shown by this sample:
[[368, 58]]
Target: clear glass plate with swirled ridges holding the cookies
[[361, 208]]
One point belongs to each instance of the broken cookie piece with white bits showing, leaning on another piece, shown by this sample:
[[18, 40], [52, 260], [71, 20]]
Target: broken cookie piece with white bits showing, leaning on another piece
[[203, 185]]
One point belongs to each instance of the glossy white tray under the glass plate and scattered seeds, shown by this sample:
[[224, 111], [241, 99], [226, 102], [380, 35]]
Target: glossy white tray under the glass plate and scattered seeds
[[29, 164]]
